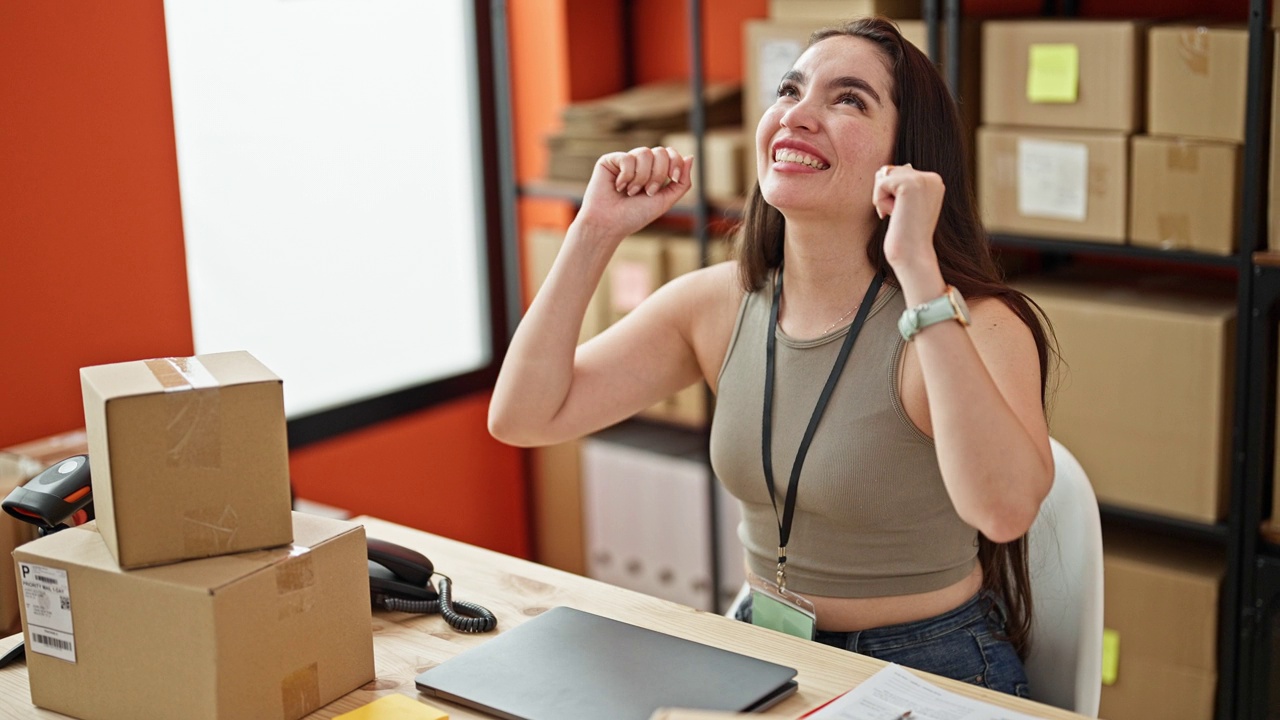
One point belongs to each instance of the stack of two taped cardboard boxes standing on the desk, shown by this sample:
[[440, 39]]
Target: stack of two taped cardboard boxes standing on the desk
[[196, 593]]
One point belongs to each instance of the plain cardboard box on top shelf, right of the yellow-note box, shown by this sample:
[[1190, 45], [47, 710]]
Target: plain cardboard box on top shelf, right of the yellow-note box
[[1209, 65]]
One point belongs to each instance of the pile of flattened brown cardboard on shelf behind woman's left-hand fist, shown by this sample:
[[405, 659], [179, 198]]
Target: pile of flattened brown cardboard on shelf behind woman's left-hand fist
[[638, 117]]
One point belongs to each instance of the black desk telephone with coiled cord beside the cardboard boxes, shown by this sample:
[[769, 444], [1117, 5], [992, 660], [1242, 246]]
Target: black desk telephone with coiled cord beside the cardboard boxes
[[401, 580]]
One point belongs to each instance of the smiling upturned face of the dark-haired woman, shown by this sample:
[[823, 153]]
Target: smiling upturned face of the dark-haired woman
[[833, 126]]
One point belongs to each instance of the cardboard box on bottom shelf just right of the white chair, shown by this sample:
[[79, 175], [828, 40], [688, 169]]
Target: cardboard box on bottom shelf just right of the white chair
[[1168, 651]]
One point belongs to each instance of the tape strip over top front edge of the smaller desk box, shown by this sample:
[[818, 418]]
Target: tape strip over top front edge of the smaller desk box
[[194, 426]]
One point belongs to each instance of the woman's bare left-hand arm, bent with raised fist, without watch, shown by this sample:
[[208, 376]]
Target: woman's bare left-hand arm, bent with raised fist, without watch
[[548, 390]]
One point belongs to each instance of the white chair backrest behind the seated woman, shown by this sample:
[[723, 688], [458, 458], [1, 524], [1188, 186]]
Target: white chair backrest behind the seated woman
[[1066, 564]]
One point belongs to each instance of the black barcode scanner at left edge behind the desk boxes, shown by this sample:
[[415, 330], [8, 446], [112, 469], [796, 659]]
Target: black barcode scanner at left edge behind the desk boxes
[[58, 498]]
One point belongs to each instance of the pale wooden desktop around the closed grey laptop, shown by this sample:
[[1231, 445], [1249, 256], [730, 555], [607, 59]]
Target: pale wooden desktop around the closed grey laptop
[[516, 590]]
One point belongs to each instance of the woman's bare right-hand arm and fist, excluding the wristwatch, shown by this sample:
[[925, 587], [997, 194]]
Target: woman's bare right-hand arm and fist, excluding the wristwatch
[[982, 384]]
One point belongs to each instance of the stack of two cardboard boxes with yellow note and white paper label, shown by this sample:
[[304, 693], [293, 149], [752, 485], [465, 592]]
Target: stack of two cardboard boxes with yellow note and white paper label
[[1059, 103]]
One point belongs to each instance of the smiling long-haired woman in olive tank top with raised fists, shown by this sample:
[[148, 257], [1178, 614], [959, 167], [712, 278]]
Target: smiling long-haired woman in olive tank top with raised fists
[[888, 509]]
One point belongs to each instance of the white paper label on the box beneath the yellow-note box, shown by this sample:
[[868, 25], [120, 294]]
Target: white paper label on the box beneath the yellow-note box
[[1053, 180]]
